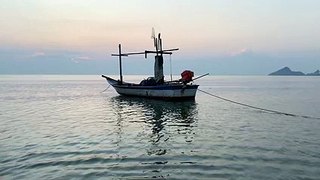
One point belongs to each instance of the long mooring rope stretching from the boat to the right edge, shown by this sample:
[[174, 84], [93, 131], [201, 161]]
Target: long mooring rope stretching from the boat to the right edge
[[254, 107]]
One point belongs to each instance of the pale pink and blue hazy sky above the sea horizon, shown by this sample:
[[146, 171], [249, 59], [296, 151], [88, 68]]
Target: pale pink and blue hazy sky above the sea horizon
[[222, 37]]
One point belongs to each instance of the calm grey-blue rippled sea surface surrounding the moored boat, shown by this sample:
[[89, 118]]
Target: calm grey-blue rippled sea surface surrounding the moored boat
[[64, 127]]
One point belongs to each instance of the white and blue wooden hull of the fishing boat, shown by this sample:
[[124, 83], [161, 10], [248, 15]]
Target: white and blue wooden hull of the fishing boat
[[173, 91]]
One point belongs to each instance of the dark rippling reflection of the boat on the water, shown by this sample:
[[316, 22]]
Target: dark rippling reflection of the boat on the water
[[158, 127]]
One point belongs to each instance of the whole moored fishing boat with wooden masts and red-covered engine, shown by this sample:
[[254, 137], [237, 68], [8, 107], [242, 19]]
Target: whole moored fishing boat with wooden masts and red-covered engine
[[156, 87]]
